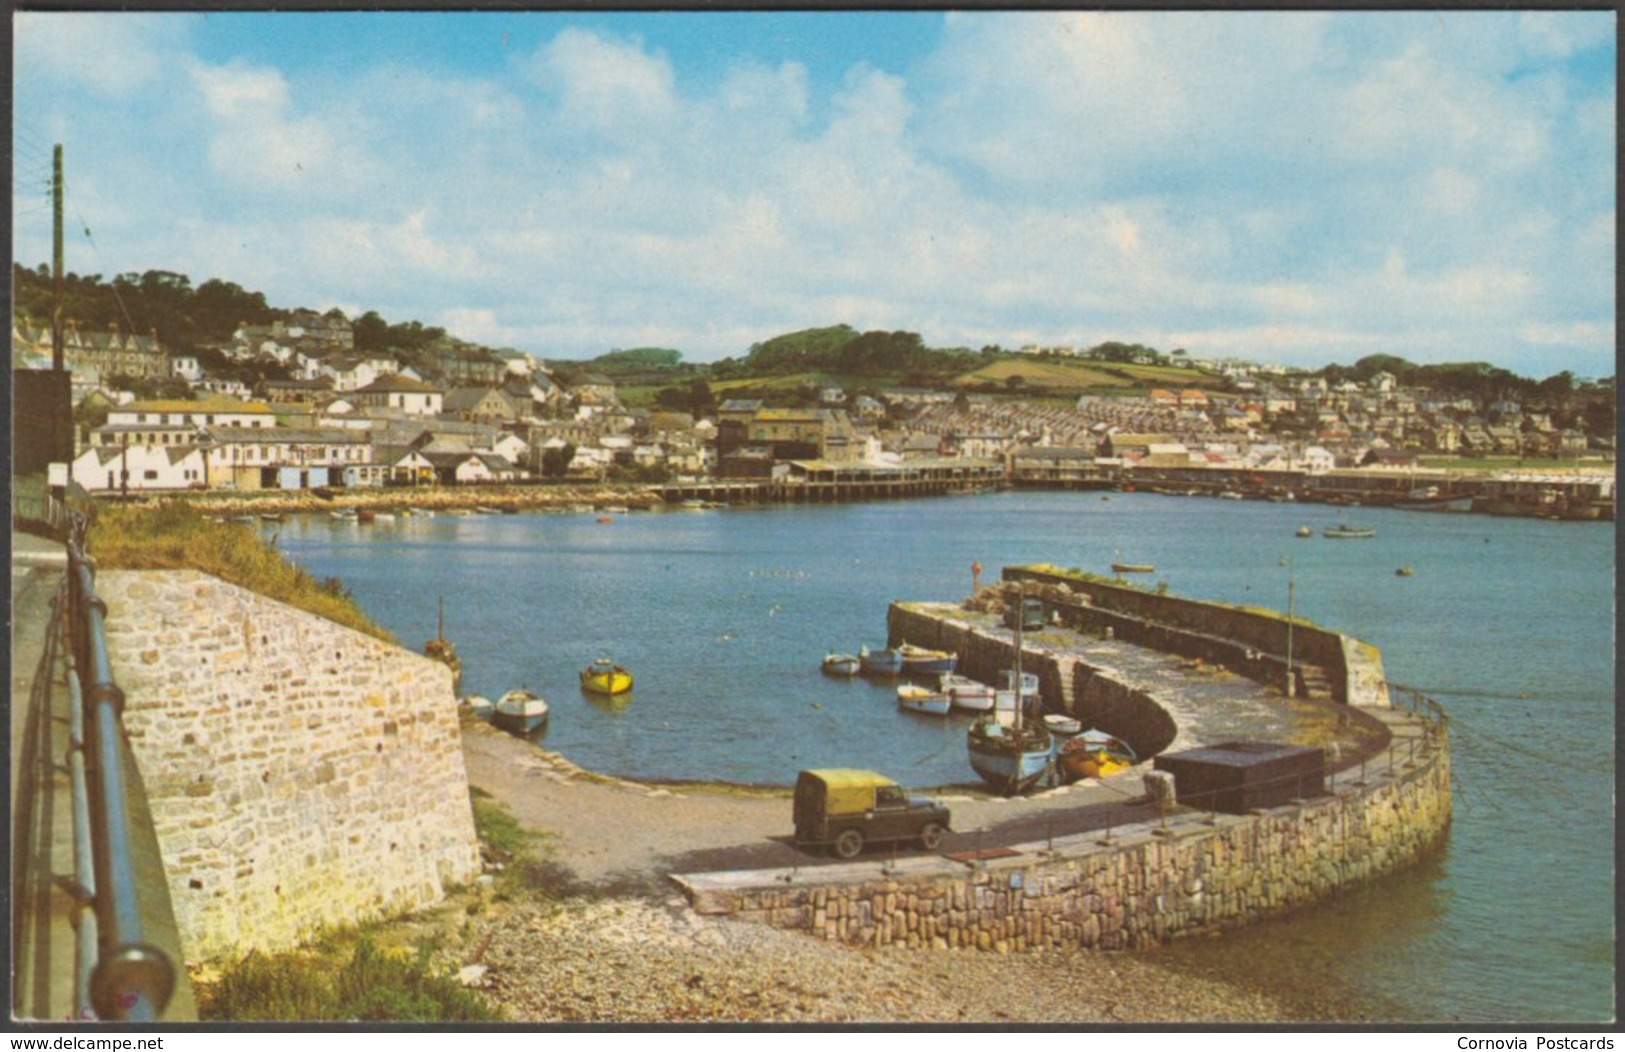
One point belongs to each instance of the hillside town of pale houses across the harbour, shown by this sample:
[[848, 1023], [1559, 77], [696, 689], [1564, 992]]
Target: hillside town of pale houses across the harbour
[[467, 415]]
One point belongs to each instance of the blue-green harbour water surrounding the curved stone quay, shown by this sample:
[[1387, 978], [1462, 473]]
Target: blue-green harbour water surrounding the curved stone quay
[[726, 615]]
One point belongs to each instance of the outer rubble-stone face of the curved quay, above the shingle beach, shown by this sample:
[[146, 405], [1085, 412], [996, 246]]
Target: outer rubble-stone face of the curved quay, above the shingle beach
[[1124, 890]]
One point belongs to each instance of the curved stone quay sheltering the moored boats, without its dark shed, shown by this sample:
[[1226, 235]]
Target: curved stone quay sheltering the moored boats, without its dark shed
[[1164, 674]]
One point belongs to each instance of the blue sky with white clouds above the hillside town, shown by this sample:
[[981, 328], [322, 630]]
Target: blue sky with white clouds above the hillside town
[[1289, 188]]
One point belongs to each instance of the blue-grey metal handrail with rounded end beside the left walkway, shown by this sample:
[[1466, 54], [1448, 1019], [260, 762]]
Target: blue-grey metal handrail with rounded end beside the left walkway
[[132, 980]]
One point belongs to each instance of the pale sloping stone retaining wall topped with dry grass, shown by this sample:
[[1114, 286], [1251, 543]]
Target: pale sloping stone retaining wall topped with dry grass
[[300, 773]]
